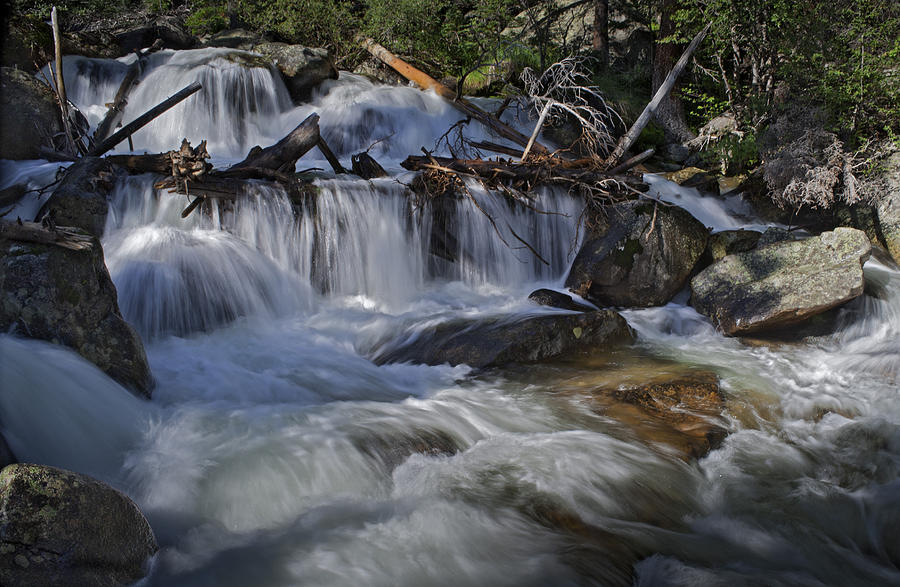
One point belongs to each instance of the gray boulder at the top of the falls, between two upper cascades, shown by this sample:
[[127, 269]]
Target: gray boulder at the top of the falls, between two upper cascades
[[303, 68]]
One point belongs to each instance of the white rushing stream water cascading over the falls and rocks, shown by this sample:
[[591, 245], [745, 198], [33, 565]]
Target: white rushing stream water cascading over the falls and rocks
[[274, 452]]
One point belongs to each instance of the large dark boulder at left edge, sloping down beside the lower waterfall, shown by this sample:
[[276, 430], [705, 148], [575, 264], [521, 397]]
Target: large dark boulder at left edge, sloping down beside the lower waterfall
[[60, 291]]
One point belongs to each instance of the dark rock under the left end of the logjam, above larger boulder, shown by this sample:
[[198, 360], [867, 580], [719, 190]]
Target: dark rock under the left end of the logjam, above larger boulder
[[81, 198]]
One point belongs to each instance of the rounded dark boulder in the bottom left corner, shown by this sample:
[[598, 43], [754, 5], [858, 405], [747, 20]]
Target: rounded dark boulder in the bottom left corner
[[62, 528]]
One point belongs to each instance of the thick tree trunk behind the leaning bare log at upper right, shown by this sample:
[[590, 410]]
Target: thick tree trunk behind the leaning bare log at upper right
[[670, 112]]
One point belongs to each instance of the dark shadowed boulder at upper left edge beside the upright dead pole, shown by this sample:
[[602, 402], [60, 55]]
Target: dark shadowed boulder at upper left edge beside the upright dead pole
[[29, 116]]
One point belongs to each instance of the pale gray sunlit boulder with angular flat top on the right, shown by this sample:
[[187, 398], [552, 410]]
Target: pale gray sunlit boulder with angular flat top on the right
[[783, 283]]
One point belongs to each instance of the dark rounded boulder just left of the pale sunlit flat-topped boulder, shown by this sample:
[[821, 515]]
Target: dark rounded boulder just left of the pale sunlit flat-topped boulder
[[643, 258]]
